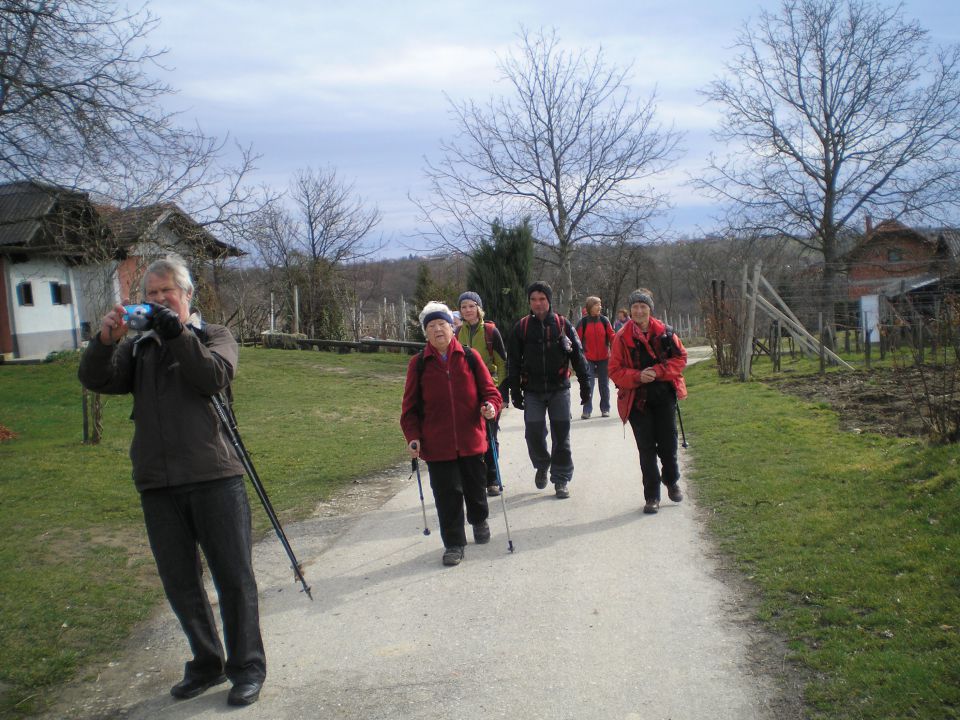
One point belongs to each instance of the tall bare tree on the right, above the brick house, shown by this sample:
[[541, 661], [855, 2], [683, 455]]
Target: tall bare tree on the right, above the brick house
[[833, 109]]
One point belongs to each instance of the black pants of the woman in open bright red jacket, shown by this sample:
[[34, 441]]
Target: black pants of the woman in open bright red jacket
[[655, 430]]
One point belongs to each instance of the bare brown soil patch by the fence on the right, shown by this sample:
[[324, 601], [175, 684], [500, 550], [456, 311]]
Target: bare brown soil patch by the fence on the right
[[879, 401]]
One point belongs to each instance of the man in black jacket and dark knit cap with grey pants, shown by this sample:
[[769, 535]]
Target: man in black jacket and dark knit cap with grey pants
[[541, 347]]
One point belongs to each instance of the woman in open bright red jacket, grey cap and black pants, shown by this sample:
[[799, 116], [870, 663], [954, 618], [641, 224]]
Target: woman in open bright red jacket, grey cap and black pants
[[646, 365]]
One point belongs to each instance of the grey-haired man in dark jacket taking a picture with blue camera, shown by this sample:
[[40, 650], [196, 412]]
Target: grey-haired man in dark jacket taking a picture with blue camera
[[188, 475]]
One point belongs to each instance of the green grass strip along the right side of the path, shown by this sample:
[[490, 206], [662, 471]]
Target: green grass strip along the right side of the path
[[853, 542]]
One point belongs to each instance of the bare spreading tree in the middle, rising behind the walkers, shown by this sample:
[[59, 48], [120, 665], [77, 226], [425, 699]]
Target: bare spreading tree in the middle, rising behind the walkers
[[567, 146]]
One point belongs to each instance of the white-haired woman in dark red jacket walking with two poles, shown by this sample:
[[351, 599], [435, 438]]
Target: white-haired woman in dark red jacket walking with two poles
[[445, 401]]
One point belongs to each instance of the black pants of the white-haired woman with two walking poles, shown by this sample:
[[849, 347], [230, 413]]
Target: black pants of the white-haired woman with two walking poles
[[455, 483]]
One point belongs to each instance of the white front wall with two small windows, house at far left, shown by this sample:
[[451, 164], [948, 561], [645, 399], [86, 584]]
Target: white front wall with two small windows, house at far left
[[43, 327]]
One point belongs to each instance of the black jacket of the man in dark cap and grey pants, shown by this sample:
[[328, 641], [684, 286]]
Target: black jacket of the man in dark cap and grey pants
[[539, 355]]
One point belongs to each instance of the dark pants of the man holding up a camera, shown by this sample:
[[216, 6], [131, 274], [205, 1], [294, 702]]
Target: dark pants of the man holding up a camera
[[214, 516]]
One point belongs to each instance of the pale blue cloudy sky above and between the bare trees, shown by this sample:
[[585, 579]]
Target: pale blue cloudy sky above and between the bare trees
[[360, 85]]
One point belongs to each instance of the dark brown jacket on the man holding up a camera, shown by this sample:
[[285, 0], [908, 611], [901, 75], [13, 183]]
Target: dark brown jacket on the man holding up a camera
[[177, 437]]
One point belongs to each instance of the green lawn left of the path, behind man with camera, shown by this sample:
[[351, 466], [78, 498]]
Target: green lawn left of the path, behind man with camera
[[75, 568]]
